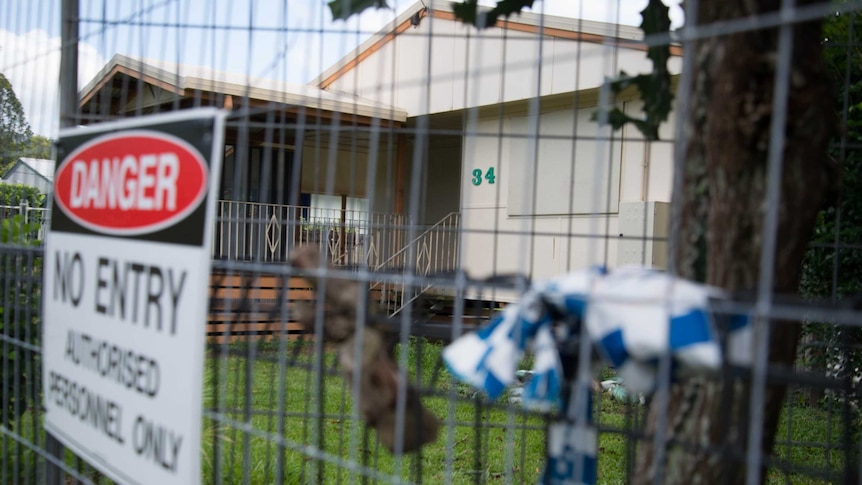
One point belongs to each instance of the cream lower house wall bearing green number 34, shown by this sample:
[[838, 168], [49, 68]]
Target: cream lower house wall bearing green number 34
[[542, 218]]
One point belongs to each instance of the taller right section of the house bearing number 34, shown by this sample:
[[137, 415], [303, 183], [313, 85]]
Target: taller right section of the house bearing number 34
[[502, 117]]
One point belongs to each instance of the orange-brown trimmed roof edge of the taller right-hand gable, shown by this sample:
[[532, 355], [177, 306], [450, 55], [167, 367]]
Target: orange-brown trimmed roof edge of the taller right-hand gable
[[546, 25]]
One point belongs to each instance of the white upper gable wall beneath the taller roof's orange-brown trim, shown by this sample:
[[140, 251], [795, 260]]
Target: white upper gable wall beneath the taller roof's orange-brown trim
[[442, 65]]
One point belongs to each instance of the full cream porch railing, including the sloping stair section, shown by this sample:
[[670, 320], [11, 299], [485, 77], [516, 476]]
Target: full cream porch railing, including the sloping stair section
[[380, 241]]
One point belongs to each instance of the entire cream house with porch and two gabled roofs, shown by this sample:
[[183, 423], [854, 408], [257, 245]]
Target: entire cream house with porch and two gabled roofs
[[484, 140]]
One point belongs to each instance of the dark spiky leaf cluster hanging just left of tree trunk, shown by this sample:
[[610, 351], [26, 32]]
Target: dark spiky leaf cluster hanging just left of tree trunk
[[654, 88]]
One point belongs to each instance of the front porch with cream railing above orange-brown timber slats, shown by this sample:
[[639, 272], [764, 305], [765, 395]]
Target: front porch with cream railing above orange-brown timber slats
[[244, 303]]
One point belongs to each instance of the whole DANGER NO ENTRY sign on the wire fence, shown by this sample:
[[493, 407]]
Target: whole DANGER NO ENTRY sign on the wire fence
[[127, 263]]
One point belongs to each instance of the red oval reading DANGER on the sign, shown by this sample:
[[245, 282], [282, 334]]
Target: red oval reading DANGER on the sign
[[133, 182]]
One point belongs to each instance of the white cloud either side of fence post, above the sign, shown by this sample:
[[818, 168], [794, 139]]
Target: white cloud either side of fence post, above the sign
[[31, 62]]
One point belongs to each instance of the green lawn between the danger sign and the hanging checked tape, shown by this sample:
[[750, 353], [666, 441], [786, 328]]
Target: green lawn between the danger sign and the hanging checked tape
[[504, 435]]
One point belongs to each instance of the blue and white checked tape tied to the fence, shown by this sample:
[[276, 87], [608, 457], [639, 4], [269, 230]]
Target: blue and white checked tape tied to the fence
[[632, 315]]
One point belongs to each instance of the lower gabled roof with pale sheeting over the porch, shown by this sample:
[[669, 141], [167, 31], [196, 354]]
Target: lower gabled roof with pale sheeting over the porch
[[184, 80]]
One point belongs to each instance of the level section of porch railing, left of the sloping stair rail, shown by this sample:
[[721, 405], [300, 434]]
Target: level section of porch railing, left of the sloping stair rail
[[252, 231]]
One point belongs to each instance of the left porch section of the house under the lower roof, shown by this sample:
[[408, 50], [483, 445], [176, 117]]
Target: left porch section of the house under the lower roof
[[274, 193]]
